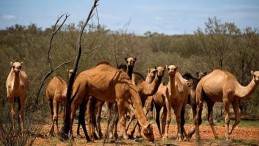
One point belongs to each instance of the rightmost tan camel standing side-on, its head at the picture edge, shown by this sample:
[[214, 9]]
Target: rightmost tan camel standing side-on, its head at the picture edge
[[222, 86]]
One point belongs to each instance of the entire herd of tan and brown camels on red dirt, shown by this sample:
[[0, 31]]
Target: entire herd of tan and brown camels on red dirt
[[129, 93]]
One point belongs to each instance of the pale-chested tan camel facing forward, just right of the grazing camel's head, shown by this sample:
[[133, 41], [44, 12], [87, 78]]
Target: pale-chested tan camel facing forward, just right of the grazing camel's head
[[176, 97]]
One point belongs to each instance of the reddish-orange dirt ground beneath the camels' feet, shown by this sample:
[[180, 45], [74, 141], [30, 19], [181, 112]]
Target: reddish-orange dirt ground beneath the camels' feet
[[240, 136]]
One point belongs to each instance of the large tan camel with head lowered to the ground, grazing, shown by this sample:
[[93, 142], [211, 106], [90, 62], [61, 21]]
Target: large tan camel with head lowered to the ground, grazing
[[107, 83]]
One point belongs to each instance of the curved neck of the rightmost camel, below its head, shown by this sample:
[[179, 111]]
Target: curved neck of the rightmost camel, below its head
[[246, 91]]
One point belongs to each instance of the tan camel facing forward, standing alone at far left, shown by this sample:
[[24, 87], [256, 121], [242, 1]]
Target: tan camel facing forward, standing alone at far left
[[16, 85]]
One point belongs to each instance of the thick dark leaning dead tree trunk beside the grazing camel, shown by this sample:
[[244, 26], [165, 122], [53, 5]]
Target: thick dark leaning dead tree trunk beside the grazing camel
[[66, 124]]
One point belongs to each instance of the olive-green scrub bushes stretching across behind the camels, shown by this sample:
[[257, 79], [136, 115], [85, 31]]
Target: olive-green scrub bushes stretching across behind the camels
[[218, 45]]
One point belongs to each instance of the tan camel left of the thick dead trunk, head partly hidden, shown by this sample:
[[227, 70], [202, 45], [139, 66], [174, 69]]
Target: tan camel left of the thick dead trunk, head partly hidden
[[56, 92]]
